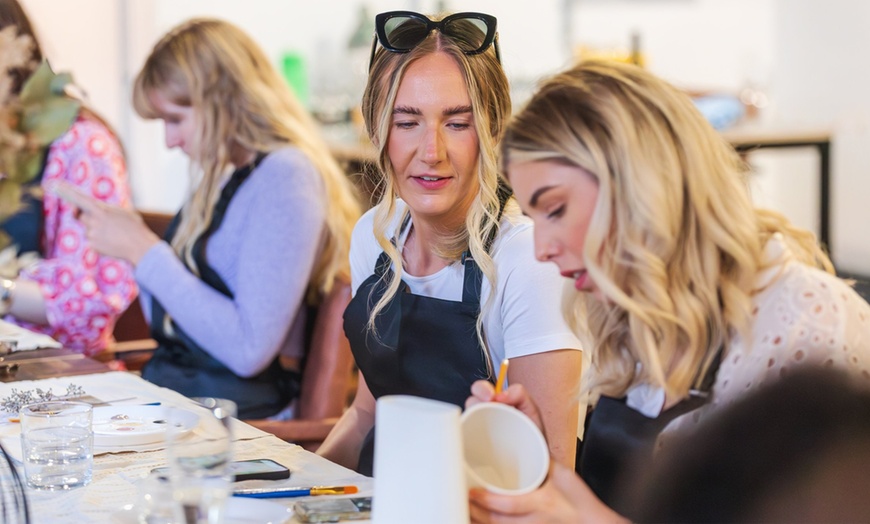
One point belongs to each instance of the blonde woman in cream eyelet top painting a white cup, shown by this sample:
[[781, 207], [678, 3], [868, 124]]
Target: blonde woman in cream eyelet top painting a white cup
[[691, 297]]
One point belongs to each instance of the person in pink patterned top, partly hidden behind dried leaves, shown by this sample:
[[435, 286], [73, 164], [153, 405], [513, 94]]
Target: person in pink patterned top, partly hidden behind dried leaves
[[70, 293]]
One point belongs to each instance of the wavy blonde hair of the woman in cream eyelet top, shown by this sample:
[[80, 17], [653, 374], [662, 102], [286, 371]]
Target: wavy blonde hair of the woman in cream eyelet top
[[674, 244]]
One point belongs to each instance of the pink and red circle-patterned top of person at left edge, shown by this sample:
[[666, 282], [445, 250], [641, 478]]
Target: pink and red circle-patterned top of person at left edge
[[84, 292]]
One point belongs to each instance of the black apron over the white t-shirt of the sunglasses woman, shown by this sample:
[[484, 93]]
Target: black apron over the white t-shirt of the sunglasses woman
[[427, 347]]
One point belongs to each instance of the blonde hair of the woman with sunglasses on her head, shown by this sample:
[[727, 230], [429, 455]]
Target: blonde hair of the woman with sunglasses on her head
[[490, 102]]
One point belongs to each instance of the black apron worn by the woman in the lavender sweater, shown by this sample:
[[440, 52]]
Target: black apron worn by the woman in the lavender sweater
[[179, 363]]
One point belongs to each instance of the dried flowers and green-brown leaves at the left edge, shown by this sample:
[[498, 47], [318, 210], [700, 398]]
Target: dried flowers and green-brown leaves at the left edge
[[29, 120]]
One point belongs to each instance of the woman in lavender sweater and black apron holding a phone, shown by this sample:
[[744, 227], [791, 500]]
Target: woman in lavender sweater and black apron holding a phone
[[264, 233]]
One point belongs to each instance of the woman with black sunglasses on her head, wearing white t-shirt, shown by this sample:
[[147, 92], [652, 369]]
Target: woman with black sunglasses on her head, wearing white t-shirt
[[444, 279]]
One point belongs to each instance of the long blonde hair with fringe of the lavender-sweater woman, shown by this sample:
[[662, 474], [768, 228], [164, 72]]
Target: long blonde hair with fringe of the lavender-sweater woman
[[240, 101]]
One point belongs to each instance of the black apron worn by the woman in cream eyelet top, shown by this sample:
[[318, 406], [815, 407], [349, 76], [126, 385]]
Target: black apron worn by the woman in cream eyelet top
[[619, 439]]
